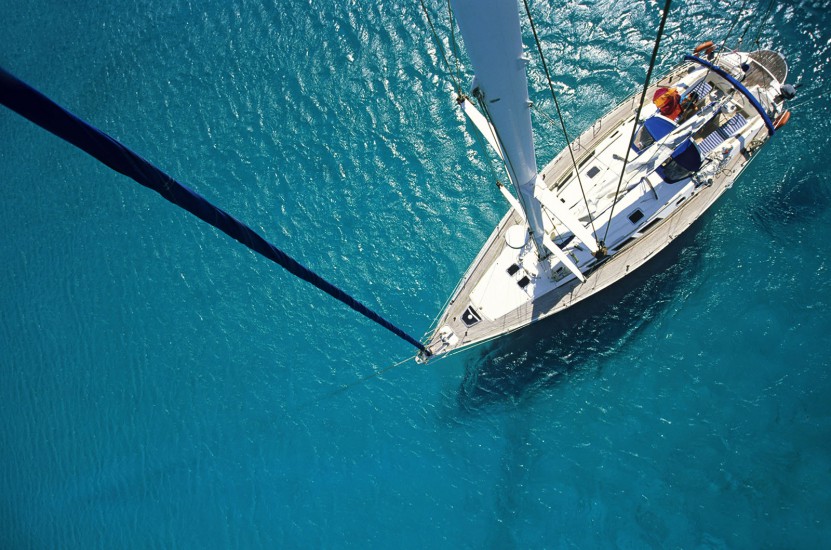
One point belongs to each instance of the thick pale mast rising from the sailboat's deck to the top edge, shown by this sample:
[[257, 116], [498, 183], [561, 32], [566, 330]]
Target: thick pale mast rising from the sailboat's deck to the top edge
[[493, 40]]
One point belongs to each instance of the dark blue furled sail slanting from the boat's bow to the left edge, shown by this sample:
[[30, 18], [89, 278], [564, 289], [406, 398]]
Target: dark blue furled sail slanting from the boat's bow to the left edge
[[36, 107]]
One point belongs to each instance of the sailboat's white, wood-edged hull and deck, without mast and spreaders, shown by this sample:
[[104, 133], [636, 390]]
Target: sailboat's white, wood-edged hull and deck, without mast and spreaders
[[507, 287]]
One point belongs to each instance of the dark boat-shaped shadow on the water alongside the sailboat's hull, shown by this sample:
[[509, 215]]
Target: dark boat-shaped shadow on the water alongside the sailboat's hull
[[549, 352]]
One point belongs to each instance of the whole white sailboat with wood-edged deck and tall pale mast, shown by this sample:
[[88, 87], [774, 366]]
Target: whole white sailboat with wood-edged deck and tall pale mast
[[616, 195]]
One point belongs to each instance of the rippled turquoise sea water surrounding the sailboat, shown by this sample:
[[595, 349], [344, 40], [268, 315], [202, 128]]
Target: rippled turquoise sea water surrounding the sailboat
[[164, 387]]
